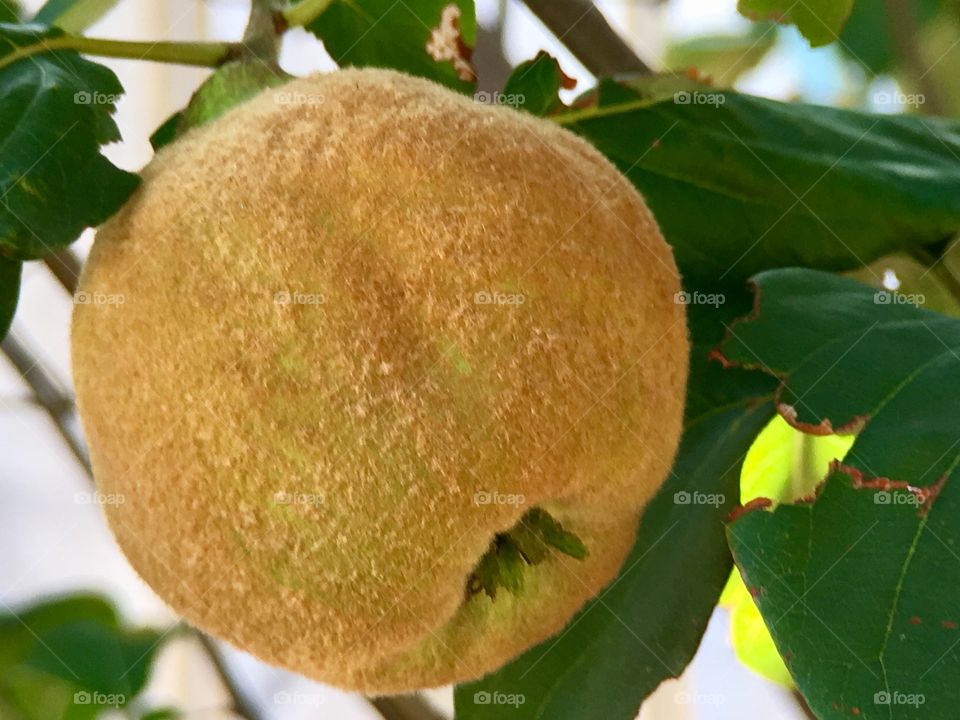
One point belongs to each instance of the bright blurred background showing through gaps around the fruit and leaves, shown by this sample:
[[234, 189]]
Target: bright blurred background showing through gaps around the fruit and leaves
[[894, 56]]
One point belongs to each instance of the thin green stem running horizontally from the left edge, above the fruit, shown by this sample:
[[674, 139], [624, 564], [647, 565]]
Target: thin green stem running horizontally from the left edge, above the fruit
[[181, 53]]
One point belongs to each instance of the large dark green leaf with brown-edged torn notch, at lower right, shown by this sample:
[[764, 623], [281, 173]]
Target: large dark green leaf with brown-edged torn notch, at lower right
[[861, 587]]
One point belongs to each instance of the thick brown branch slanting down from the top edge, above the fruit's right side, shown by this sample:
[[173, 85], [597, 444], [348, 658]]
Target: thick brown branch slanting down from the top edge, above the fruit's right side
[[580, 26]]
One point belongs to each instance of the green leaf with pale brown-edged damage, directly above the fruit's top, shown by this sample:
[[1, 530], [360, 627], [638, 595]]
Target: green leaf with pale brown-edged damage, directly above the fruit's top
[[398, 35]]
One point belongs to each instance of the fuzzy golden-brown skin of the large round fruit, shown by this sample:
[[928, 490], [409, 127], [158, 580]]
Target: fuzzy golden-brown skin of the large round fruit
[[301, 478]]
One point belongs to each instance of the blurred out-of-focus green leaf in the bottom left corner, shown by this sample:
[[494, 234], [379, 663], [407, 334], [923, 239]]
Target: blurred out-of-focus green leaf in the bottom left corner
[[75, 652]]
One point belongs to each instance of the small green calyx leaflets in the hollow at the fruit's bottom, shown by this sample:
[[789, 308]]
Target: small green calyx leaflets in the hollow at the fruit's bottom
[[529, 542]]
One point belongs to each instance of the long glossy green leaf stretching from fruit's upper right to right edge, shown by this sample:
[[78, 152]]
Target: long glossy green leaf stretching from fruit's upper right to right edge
[[788, 184]]
